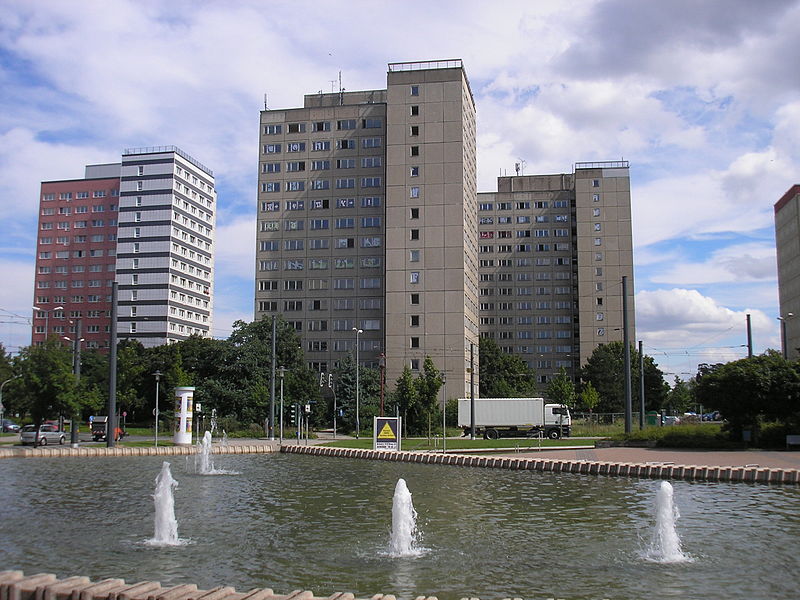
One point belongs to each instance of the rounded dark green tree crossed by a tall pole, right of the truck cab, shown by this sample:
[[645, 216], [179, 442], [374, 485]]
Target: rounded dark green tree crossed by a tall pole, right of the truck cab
[[604, 369]]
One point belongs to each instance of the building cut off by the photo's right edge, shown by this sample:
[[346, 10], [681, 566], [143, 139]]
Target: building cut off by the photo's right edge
[[787, 243]]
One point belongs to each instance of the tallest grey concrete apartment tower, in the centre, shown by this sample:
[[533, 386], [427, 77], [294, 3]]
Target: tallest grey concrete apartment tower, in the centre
[[366, 221]]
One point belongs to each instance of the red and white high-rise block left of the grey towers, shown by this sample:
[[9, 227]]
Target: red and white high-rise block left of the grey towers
[[148, 223]]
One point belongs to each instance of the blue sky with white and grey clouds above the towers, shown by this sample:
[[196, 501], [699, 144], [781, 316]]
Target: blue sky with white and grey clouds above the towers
[[701, 97]]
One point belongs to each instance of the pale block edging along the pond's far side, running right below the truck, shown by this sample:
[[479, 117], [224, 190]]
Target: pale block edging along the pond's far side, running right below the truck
[[583, 467]]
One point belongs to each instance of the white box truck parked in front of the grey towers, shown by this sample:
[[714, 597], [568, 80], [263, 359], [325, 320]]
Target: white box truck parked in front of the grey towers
[[515, 417]]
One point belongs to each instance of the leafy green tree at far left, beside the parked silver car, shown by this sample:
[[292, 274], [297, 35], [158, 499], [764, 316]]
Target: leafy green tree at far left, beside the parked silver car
[[46, 384]]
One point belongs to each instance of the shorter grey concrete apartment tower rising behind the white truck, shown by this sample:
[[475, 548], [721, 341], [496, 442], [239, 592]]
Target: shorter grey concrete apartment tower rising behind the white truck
[[552, 253]]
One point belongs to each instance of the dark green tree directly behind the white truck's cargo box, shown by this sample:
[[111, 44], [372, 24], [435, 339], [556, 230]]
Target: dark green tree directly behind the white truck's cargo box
[[504, 375]]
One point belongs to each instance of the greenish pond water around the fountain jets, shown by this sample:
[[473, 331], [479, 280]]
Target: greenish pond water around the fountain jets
[[305, 522]]
